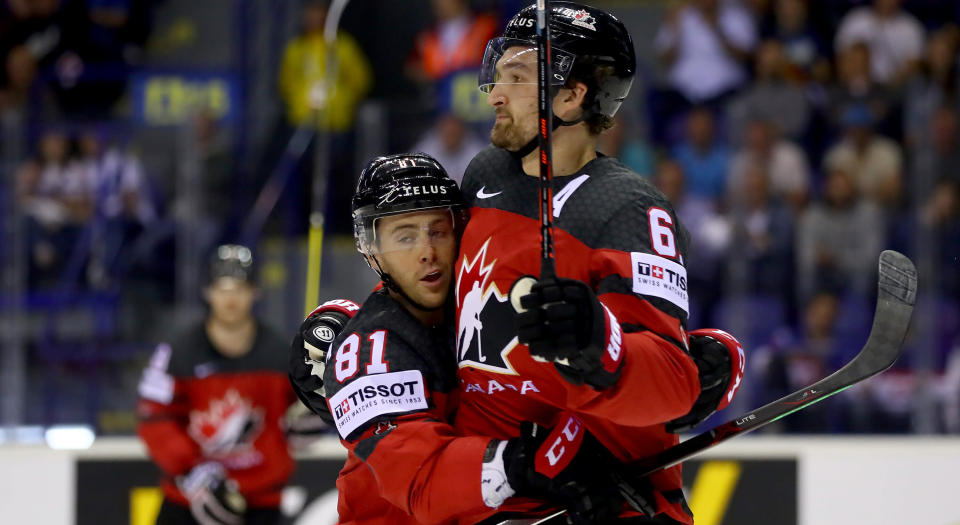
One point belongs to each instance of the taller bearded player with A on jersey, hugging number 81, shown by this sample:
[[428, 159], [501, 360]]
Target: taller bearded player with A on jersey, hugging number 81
[[607, 339]]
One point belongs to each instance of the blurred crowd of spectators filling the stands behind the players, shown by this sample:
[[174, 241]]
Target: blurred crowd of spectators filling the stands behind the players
[[796, 139]]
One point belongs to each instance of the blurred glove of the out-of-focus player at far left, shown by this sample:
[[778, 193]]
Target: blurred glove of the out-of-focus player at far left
[[214, 499]]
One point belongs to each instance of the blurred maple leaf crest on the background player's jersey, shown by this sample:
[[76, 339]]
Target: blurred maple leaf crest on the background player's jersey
[[228, 427]]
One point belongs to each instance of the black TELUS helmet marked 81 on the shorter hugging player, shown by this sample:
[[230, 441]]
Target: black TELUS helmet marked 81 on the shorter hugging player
[[400, 184]]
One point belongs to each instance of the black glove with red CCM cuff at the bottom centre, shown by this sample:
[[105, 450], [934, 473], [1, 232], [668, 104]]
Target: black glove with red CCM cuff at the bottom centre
[[560, 465]]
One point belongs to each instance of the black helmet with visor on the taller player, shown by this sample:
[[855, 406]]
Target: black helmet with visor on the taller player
[[583, 39]]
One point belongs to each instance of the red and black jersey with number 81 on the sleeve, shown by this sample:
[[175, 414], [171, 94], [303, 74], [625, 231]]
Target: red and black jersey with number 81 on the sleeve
[[391, 387]]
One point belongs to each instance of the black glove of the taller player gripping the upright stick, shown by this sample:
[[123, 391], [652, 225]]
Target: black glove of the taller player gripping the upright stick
[[562, 321]]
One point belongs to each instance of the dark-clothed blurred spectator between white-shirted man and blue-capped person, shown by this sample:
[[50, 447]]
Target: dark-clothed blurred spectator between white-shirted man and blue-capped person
[[856, 86]]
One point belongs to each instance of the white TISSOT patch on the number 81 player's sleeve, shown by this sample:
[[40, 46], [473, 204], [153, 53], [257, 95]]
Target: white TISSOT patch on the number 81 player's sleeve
[[375, 395]]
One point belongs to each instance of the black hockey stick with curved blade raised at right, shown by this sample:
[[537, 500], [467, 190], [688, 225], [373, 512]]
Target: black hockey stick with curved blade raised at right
[[897, 293]]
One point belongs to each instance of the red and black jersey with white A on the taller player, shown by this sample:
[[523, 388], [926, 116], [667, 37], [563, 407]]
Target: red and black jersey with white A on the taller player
[[614, 231]]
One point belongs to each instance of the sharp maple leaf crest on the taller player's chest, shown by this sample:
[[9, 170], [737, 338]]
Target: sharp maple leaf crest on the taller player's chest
[[481, 304]]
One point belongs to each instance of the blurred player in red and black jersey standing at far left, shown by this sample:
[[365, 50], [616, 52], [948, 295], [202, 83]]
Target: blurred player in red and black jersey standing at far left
[[211, 400]]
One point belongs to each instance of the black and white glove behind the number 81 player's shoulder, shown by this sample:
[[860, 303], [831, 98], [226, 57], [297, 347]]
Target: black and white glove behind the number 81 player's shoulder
[[308, 352]]
